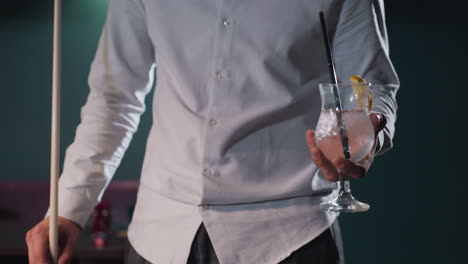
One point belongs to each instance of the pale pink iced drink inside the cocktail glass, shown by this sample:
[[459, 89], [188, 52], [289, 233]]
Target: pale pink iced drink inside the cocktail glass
[[358, 129]]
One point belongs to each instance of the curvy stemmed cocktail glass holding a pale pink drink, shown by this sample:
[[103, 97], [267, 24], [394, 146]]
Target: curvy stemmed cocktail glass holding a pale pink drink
[[344, 128]]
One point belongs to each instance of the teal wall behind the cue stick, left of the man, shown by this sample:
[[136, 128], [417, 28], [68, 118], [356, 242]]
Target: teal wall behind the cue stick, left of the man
[[25, 80]]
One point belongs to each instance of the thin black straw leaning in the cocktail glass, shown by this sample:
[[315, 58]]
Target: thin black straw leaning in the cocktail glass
[[331, 68]]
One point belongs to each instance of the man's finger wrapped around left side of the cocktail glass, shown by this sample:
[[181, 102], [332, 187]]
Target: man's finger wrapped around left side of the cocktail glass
[[328, 169]]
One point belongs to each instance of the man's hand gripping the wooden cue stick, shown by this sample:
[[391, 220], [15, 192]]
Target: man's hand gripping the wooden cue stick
[[37, 240]]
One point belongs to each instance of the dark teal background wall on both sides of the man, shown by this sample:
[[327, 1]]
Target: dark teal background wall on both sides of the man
[[417, 190]]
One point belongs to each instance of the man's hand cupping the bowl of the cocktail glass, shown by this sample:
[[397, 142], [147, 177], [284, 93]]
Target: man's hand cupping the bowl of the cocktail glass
[[347, 168]]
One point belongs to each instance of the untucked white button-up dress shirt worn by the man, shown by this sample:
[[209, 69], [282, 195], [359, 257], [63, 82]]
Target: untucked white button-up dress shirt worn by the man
[[236, 90]]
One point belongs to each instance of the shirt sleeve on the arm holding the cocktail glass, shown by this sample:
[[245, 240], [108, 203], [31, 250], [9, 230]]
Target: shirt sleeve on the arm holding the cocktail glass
[[360, 46]]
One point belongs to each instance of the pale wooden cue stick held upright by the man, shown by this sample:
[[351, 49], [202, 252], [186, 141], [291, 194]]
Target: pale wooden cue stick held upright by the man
[[55, 132]]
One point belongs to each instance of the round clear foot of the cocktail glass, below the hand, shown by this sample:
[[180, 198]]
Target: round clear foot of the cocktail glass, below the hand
[[344, 203]]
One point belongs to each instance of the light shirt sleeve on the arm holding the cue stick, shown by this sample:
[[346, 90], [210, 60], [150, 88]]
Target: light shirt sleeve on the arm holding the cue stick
[[120, 77]]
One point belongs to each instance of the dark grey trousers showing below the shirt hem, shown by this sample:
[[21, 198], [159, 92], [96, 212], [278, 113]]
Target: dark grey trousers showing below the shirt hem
[[327, 248]]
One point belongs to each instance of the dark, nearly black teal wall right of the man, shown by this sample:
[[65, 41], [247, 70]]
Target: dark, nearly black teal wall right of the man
[[417, 191]]
